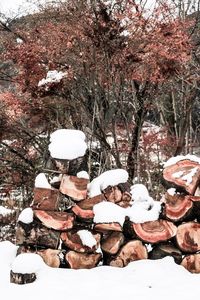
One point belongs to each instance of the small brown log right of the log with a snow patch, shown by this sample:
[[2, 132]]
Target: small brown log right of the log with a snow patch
[[112, 243]]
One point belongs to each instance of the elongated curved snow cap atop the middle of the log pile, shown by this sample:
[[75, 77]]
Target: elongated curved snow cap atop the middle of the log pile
[[108, 178]]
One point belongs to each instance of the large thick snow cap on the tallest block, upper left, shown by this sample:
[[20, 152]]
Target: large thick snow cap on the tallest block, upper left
[[67, 144]]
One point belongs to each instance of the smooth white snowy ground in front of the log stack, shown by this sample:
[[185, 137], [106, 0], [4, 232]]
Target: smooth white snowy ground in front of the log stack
[[140, 280]]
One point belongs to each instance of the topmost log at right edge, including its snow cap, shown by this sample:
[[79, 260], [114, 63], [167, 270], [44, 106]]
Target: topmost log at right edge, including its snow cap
[[183, 172]]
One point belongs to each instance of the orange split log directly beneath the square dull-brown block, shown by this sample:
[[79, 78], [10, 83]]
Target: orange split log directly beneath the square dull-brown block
[[55, 220]]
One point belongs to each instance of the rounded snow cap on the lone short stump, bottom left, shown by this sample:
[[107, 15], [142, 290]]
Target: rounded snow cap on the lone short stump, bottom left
[[27, 263]]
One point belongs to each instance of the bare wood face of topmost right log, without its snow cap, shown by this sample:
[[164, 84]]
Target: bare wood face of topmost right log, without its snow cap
[[174, 174]]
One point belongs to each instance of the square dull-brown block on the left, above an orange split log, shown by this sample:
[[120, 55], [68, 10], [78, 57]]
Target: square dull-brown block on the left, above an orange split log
[[46, 199]]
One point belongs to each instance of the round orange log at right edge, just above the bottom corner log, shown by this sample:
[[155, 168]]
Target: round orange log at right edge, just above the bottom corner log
[[188, 237]]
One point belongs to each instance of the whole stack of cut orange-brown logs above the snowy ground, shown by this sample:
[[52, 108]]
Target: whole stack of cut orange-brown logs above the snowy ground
[[61, 212]]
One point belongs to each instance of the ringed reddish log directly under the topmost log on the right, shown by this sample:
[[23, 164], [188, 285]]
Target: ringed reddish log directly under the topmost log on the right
[[177, 208]]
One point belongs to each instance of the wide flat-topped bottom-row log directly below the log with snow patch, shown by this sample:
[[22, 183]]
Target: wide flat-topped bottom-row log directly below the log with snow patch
[[82, 260]]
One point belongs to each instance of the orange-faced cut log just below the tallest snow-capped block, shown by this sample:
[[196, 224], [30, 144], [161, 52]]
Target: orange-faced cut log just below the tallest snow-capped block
[[74, 187]]
